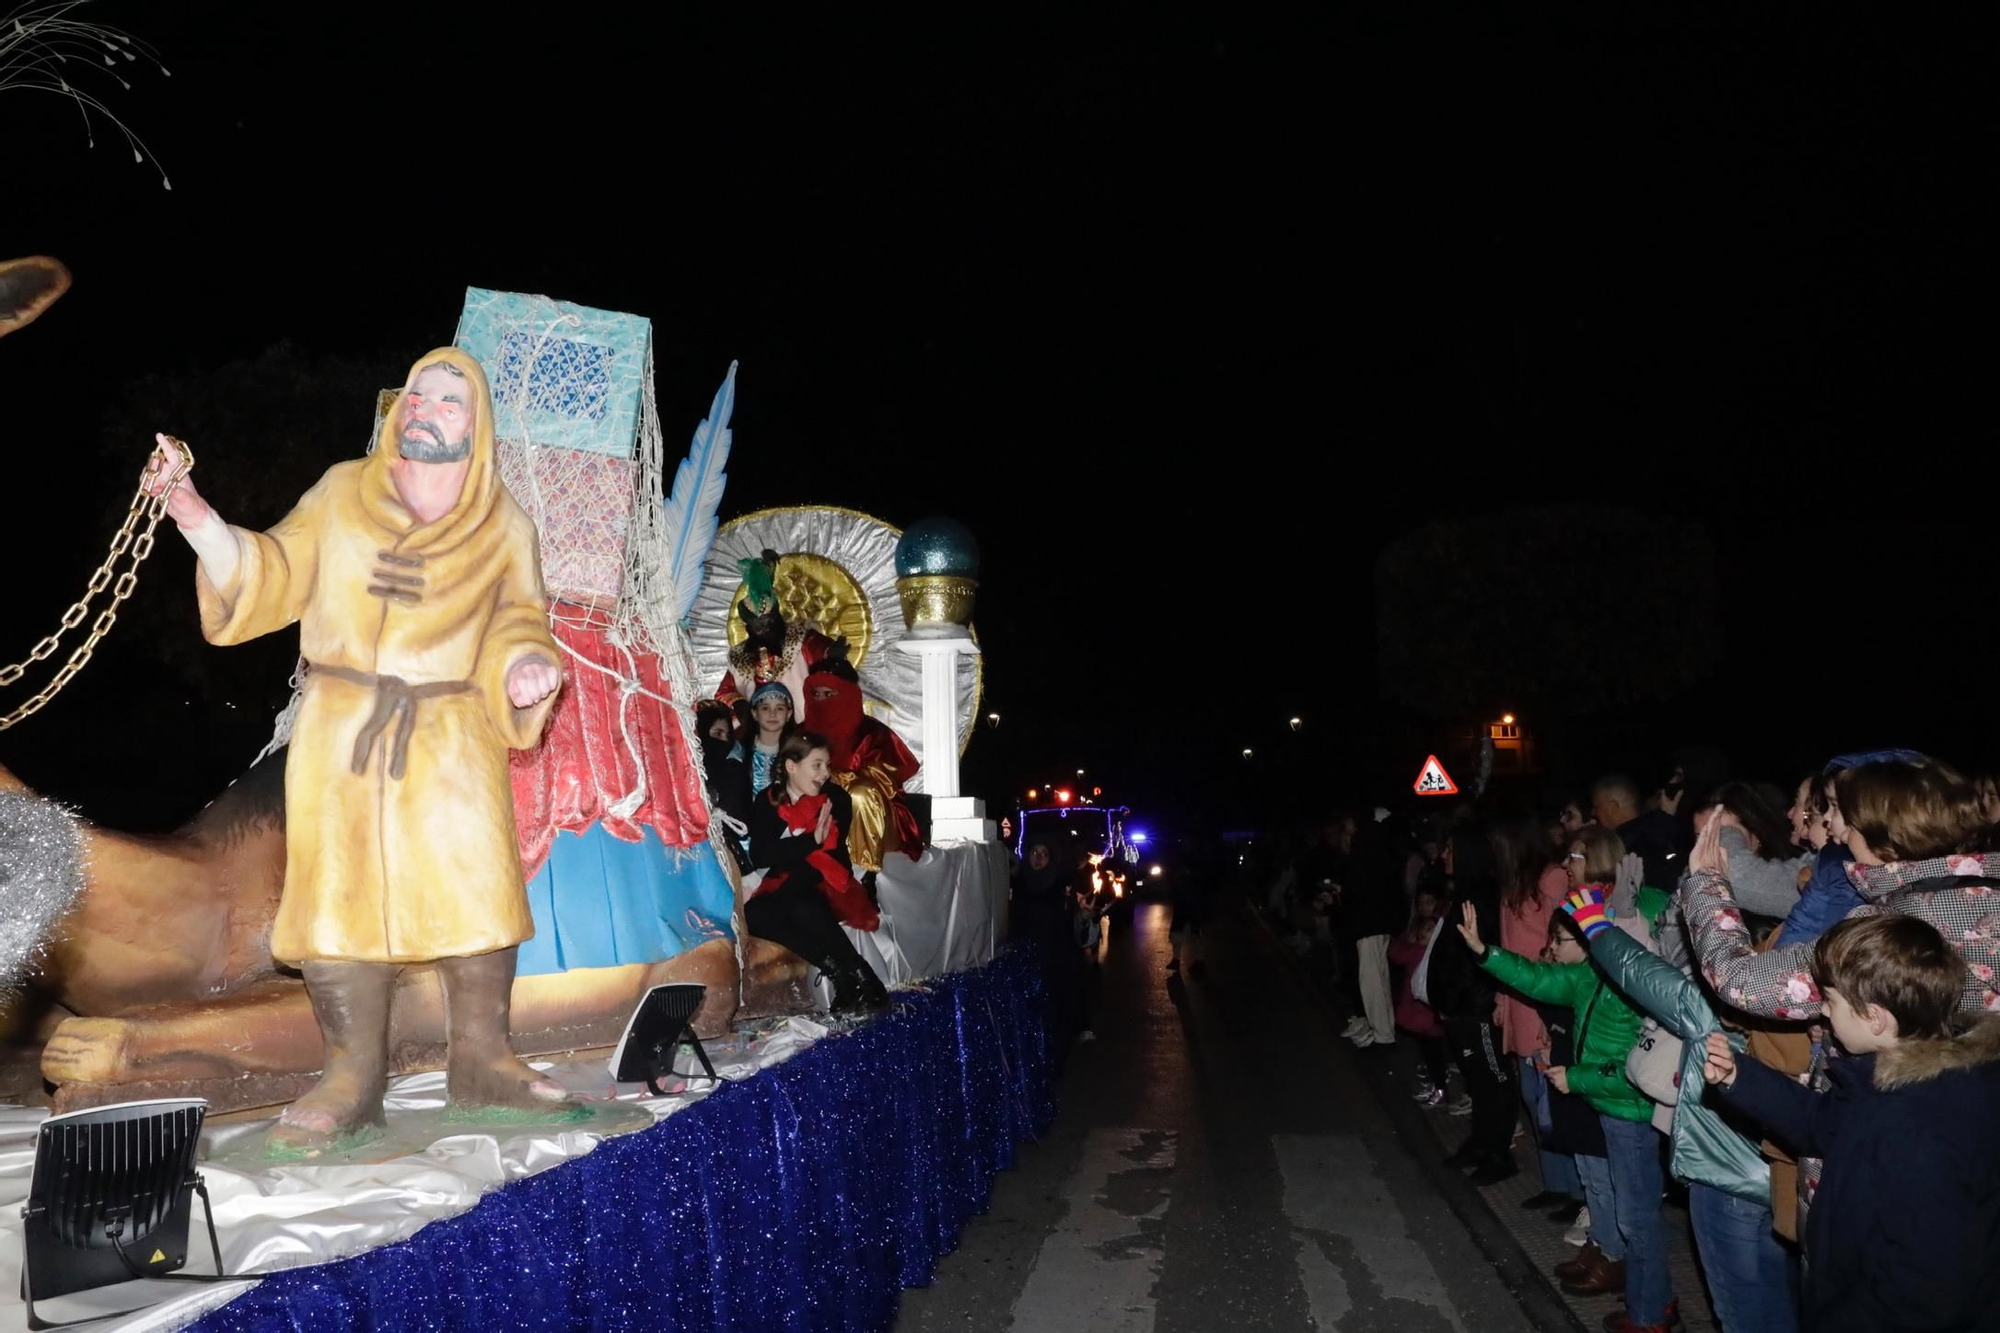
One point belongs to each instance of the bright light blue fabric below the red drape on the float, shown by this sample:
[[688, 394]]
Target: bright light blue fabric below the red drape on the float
[[601, 902]]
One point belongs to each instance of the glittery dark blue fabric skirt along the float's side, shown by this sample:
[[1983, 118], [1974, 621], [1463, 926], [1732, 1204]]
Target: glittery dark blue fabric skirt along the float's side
[[799, 1200]]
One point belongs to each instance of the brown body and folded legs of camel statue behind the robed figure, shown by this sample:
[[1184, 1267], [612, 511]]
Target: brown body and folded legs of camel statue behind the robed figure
[[159, 982]]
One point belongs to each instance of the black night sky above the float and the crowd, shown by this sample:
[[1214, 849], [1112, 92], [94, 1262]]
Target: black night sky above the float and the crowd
[[1187, 317]]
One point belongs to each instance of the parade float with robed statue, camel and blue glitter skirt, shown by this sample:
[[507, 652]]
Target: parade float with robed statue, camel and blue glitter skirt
[[873, 1142]]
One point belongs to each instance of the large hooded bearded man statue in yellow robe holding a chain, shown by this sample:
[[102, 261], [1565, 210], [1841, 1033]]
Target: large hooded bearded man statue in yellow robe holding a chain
[[419, 595]]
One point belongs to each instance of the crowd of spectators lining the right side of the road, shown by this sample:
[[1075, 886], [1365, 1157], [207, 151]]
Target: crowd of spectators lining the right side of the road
[[1777, 1000]]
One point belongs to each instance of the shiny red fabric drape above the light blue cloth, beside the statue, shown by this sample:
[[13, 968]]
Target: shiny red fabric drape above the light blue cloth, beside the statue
[[583, 766]]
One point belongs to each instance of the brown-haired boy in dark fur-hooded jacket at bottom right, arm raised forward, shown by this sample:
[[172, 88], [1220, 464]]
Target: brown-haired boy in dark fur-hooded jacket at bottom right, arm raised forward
[[1905, 1230]]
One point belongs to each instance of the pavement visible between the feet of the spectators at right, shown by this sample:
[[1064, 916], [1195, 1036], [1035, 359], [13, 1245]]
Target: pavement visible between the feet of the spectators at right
[[1393, 1074]]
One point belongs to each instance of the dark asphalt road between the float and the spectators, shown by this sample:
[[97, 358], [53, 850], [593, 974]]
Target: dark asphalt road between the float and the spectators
[[1219, 1162]]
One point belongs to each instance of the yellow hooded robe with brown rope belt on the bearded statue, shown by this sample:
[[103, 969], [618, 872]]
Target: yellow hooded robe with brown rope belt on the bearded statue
[[387, 870]]
